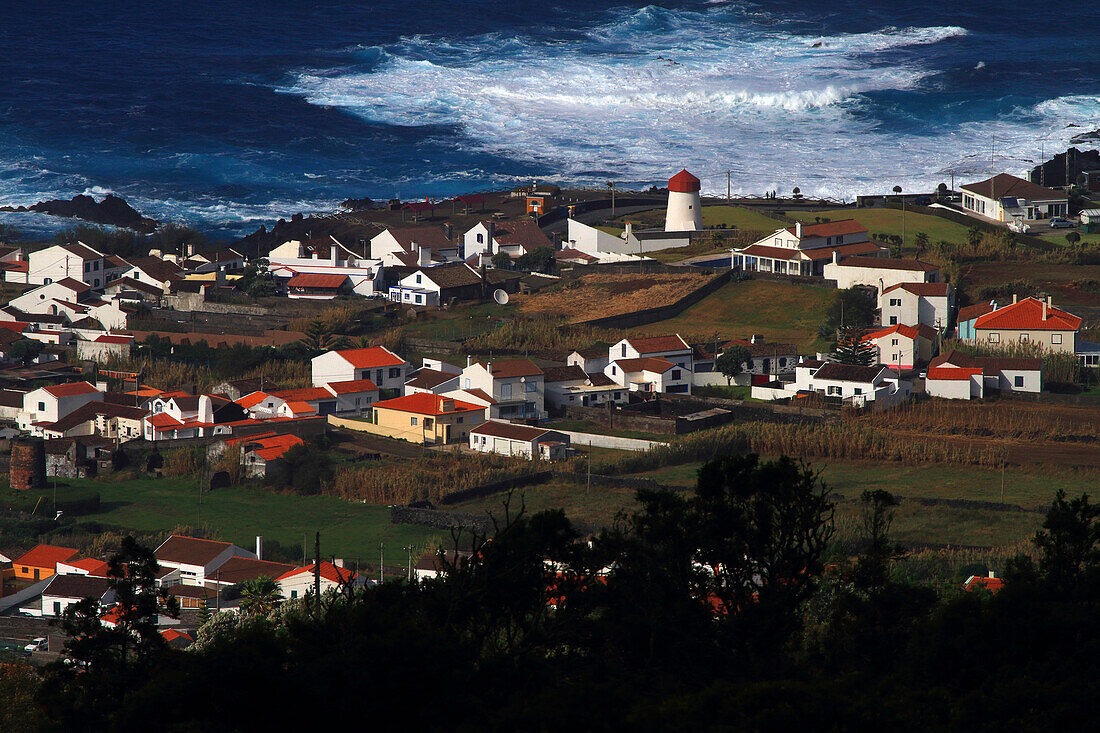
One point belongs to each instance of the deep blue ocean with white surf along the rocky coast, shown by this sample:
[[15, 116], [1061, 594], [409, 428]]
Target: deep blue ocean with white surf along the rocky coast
[[234, 114]]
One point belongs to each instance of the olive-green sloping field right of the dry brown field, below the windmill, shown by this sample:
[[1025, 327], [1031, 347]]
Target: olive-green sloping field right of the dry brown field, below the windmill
[[780, 312]]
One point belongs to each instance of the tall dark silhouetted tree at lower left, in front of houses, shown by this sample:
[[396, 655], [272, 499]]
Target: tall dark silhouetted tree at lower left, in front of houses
[[105, 664]]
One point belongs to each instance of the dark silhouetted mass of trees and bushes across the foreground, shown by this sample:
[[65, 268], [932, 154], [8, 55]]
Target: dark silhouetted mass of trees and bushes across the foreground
[[698, 612]]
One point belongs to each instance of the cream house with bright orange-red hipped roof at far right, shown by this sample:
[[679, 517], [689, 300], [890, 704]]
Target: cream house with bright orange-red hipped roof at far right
[[1029, 321]]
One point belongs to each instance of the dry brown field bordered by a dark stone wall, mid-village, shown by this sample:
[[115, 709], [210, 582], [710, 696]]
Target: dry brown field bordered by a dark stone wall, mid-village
[[596, 297]]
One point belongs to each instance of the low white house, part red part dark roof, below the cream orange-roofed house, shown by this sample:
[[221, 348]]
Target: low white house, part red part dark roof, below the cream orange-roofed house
[[956, 376]]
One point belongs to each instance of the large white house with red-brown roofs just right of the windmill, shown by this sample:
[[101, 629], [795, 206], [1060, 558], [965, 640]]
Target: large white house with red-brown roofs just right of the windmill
[[806, 249]]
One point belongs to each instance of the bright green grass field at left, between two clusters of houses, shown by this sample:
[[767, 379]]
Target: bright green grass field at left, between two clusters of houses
[[239, 515]]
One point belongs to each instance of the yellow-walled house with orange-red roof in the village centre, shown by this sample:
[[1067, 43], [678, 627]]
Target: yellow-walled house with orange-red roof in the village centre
[[427, 419]]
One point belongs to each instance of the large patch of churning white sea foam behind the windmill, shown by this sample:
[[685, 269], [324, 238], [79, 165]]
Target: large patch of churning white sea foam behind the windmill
[[647, 94]]
